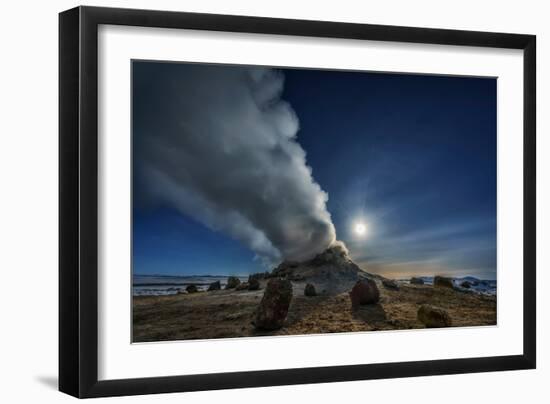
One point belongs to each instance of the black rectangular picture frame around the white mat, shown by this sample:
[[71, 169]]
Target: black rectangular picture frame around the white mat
[[78, 201]]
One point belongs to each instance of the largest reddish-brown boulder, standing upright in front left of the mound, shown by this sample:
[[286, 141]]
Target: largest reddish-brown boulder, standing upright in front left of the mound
[[273, 308]]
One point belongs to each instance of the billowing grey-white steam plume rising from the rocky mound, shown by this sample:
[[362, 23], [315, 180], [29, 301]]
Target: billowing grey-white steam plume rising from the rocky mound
[[218, 144]]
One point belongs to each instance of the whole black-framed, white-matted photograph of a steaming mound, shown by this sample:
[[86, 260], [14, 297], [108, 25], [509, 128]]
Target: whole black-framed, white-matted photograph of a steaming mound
[[251, 202]]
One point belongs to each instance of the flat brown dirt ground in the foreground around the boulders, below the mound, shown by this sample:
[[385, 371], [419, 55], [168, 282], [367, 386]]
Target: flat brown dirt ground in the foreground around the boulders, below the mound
[[229, 313]]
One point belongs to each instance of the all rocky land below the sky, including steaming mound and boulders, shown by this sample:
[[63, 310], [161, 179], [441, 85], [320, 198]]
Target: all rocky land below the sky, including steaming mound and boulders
[[327, 294]]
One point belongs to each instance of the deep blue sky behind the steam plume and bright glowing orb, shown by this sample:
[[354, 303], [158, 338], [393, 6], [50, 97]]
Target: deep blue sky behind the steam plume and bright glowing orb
[[413, 157]]
